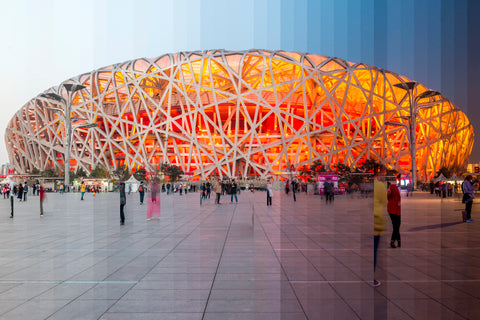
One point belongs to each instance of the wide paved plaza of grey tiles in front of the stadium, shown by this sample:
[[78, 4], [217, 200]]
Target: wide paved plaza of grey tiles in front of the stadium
[[293, 260]]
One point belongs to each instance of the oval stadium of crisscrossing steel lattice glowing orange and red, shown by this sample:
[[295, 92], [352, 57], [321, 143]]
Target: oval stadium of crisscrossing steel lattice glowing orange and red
[[232, 113]]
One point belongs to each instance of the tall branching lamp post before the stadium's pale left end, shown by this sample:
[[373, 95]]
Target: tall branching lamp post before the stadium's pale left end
[[67, 104]]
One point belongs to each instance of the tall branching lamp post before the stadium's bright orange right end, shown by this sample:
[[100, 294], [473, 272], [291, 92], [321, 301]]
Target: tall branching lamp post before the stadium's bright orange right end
[[414, 107]]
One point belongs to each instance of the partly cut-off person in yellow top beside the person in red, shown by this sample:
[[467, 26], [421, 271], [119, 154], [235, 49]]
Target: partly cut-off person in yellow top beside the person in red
[[379, 202]]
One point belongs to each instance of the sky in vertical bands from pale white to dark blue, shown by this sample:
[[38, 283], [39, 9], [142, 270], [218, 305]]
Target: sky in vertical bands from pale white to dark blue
[[435, 42]]
